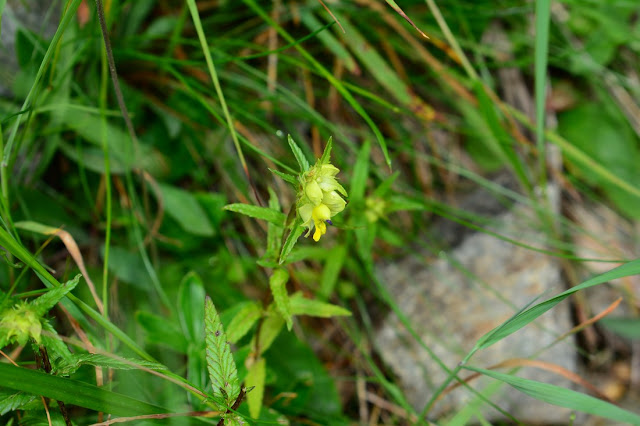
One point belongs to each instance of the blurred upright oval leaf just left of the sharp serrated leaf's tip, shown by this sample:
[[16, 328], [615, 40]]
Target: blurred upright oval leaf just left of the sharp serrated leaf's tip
[[190, 308]]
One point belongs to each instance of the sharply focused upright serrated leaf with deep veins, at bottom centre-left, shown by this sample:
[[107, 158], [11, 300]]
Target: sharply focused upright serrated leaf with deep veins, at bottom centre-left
[[220, 364]]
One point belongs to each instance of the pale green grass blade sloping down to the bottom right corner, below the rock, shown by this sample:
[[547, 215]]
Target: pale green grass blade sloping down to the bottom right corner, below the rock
[[562, 397]]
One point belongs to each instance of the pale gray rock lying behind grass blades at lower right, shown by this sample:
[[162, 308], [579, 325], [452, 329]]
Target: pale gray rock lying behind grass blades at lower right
[[456, 299]]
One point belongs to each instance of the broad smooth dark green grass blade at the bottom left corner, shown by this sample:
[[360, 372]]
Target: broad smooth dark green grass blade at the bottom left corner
[[73, 392]]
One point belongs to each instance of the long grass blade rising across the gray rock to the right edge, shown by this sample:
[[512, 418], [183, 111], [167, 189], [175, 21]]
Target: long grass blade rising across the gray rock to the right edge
[[521, 319]]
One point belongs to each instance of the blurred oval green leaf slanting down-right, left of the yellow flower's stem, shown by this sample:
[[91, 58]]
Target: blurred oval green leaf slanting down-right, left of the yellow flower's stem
[[184, 208]]
